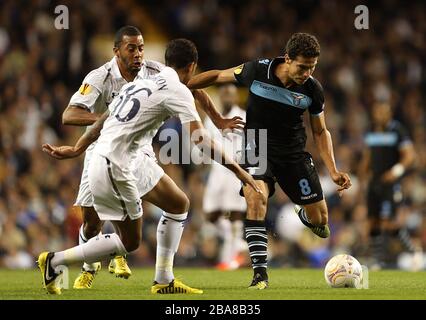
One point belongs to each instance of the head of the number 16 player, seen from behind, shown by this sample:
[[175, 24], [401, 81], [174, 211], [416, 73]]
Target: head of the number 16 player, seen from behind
[[182, 55]]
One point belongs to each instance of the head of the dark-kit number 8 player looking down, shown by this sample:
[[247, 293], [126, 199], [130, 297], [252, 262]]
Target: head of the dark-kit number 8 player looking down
[[301, 55]]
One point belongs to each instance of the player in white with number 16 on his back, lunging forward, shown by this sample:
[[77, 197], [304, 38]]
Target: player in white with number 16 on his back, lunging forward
[[133, 119]]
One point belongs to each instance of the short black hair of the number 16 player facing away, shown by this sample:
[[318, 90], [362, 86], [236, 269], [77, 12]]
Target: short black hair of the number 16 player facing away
[[180, 53]]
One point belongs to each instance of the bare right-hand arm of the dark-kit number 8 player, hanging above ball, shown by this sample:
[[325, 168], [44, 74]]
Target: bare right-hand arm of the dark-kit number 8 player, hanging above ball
[[323, 141]]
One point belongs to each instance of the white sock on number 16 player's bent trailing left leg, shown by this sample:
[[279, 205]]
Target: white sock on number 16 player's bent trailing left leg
[[96, 249]]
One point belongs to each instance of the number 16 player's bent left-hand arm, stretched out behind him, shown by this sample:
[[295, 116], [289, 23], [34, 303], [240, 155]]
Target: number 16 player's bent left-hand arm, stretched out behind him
[[67, 152]]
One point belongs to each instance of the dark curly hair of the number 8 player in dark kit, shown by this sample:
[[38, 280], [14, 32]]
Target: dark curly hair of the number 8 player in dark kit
[[302, 44]]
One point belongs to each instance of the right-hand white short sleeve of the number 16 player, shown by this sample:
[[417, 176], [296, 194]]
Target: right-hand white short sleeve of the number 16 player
[[181, 104]]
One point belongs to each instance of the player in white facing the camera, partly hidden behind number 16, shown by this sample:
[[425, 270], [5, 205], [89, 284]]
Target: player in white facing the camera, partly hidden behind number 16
[[97, 91]]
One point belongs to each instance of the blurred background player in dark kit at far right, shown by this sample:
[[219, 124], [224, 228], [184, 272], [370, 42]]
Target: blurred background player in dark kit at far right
[[388, 154]]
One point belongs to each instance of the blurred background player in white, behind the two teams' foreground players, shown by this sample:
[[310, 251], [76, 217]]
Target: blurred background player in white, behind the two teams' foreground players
[[224, 198]]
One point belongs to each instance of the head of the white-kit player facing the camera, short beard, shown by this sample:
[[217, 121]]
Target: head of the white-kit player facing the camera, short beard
[[128, 48]]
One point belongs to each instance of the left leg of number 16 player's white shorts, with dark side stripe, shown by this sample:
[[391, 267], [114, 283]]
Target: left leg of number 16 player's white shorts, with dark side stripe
[[115, 192]]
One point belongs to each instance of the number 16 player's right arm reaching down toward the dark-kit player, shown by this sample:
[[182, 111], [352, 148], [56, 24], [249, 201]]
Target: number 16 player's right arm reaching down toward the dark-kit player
[[209, 146]]
